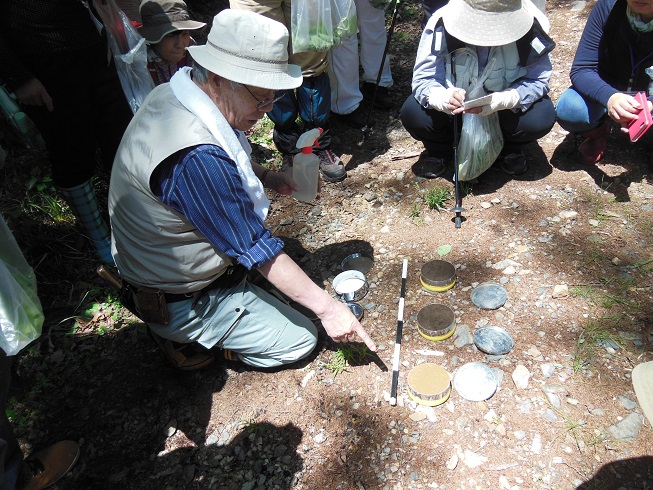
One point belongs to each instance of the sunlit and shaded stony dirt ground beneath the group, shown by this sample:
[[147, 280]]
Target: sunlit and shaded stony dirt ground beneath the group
[[570, 244]]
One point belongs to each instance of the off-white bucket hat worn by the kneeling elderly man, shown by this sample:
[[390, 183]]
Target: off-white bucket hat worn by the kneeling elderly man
[[248, 48]]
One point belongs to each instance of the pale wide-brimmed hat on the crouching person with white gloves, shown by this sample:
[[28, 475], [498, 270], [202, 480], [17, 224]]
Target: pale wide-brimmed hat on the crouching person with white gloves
[[487, 22]]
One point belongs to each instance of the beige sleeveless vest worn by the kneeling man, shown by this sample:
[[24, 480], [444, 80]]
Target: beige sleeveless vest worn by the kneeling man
[[152, 244]]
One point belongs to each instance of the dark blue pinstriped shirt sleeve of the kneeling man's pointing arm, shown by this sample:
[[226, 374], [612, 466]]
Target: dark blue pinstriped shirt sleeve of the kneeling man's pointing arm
[[203, 184]]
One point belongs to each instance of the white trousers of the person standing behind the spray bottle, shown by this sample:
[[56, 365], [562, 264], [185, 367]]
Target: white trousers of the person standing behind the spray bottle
[[343, 60]]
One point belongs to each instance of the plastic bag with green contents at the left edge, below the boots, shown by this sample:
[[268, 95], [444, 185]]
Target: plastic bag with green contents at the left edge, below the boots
[[21, 315]]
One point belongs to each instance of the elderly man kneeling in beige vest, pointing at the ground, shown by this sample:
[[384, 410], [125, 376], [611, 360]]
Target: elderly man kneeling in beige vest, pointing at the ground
[[188, 208]]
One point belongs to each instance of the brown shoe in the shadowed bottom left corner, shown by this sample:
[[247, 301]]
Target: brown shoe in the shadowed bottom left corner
[[44, 468]]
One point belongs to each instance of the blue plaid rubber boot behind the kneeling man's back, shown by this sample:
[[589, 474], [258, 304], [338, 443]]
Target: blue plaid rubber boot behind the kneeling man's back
[[83, 203]]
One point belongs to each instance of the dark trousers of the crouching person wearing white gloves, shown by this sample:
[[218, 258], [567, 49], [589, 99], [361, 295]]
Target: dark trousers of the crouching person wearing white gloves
[[435, 129]]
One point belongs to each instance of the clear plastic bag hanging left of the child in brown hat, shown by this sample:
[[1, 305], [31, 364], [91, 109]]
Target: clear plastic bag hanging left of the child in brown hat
[[129, 52]]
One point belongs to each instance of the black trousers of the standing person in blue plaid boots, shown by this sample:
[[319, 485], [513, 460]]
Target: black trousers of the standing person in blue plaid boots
[[90, 111]]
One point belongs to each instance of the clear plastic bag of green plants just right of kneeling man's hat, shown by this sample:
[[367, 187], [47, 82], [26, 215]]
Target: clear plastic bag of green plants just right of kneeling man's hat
[[320, 25]]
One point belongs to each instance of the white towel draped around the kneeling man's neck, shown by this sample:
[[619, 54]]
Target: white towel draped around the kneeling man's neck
[[196, 101]]
